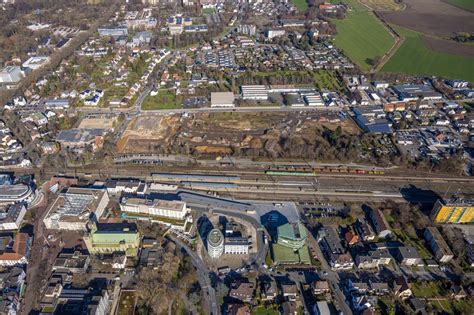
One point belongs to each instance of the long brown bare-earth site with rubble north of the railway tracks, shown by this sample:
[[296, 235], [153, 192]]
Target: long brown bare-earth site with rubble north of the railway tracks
[[266, 134]]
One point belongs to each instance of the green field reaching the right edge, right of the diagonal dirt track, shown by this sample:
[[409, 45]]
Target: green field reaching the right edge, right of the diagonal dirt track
[[414, 58]]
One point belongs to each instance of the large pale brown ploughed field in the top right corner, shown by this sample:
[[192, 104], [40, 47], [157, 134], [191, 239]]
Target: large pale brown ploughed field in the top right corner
[[431, 17]]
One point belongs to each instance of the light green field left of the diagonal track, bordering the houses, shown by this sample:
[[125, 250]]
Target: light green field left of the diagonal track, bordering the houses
[[362, 37]]
